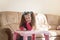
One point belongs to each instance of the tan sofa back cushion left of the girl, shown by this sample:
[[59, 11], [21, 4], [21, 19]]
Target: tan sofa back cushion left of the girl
[[10, 17]]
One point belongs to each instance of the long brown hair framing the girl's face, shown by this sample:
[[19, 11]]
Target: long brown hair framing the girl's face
[[23, 19]]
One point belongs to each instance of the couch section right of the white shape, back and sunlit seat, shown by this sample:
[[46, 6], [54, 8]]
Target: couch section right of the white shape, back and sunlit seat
[[54, 22]]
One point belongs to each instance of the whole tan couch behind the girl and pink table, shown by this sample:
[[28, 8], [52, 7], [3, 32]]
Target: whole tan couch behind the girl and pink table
[[10, 21]]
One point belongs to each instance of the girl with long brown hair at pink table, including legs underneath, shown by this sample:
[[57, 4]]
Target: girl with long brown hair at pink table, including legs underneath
[[27, 24]]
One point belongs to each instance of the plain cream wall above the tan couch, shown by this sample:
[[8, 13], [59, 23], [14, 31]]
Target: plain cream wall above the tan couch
[[39, 6]]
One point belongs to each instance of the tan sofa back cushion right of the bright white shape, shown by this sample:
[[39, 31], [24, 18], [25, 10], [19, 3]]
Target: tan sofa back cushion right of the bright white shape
[[52, 19]]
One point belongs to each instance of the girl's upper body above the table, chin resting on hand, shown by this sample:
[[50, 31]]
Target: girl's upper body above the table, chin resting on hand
[[27, 21]]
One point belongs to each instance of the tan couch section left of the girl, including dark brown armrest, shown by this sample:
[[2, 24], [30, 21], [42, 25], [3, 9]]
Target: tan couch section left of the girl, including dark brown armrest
[[9, 22]]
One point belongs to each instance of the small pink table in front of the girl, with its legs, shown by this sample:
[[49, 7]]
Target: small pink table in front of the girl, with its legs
[[29, 33]]
